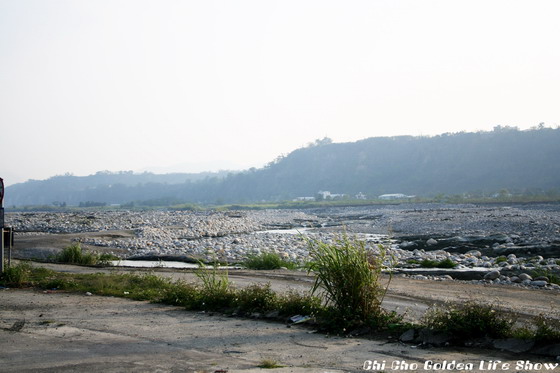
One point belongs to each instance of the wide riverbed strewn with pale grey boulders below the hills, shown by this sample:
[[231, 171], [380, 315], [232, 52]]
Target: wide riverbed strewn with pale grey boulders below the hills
[[514, 244]]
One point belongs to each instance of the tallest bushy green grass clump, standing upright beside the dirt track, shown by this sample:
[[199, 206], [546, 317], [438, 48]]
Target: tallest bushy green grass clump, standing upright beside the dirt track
[[348, 277]]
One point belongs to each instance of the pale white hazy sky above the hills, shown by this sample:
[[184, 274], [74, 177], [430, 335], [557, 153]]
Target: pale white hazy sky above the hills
[[160, 85]]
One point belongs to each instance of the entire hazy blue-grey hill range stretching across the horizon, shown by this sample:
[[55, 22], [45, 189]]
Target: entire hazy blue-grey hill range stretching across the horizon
[[477, 163]]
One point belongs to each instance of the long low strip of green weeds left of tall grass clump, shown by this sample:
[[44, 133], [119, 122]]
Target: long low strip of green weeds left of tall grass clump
[[213, 292]]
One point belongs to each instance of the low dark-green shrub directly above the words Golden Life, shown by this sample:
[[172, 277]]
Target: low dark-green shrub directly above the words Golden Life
[[469, 320]]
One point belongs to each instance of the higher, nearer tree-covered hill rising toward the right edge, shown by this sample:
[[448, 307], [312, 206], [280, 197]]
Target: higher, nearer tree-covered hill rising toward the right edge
[[482, 162]]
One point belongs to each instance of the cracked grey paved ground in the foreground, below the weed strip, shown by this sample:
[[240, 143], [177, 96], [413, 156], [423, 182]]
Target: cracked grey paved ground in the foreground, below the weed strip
[[57, 332]]
